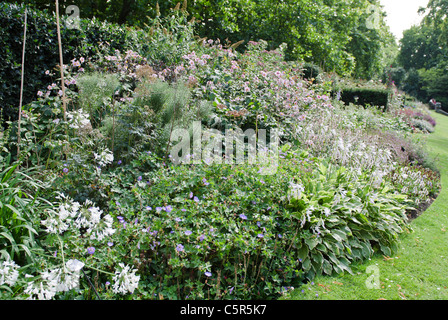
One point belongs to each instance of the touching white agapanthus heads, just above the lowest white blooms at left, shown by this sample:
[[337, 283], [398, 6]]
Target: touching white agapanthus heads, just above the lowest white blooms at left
[[70, 214]]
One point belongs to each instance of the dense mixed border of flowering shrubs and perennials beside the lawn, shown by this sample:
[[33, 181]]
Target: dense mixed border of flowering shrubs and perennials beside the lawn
[[141, 227]]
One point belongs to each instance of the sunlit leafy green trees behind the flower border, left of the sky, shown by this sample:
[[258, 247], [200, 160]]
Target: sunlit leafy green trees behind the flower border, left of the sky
[[346, 36]]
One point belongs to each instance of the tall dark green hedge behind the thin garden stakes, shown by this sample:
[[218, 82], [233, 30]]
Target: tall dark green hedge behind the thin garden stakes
[[42, 50]]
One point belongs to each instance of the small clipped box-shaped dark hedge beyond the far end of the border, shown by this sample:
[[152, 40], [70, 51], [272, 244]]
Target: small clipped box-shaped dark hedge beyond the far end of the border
[[366, 96]]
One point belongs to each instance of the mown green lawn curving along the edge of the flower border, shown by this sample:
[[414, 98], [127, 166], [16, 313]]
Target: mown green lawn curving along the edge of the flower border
[[418, 270]]
